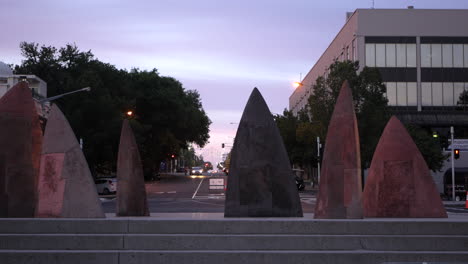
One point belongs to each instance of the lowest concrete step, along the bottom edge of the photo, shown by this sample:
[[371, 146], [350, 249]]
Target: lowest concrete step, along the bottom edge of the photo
[[231, 257]]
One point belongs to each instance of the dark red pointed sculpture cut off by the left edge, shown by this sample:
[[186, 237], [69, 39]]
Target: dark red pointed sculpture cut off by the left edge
[[20, 150]]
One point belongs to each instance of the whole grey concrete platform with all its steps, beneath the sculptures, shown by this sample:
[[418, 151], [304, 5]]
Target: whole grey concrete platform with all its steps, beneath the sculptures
[[211, 238]]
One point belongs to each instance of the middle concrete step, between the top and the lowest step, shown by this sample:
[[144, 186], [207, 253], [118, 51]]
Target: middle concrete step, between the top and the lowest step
[[232, 242]]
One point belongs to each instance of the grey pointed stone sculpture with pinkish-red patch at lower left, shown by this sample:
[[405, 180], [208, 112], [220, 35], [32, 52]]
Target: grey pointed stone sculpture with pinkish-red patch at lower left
[[66, 187]]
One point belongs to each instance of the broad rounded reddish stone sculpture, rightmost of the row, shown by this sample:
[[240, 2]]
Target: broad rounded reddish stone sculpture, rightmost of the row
[[399, 183]]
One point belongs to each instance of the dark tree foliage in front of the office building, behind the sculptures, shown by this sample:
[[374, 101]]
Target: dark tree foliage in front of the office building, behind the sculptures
[[372, 112]]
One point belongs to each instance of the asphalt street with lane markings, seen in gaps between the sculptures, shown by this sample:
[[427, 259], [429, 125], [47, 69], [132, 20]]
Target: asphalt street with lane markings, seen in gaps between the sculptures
[[179, 193]]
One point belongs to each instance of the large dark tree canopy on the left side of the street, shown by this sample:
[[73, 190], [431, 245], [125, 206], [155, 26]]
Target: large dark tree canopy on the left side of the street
[[167, 117]]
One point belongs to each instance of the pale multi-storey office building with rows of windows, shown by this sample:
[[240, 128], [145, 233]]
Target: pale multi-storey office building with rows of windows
[[421, 54]]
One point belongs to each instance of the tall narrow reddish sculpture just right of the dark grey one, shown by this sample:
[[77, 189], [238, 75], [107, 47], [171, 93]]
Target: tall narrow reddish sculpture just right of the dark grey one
[[340, 188]]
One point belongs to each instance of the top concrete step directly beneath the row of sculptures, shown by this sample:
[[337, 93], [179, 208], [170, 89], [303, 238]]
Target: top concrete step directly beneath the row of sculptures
[[236, 226]]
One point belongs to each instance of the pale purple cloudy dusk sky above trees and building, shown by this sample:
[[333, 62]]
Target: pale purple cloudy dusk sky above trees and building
[[222, 49]]
